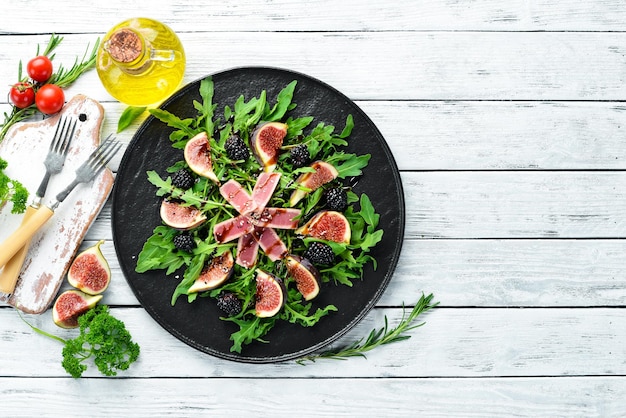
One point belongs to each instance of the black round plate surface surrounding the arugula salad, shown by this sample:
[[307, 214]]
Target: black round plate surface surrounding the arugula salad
[[135, 214]]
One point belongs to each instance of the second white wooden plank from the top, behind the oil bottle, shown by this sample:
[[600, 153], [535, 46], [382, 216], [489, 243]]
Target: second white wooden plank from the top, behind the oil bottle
[[394, 65]]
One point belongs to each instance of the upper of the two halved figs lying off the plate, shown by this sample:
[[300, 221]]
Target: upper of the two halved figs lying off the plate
[[90, 271]]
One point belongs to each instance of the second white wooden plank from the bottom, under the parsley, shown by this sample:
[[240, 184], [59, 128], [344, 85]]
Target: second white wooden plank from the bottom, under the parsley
[[453, 343]]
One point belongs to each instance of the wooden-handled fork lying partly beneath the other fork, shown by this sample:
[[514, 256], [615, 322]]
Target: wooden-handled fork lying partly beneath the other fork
[[55, 159]]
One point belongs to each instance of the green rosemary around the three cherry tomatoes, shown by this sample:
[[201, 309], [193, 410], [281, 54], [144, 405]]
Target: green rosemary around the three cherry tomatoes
[[62, 77]]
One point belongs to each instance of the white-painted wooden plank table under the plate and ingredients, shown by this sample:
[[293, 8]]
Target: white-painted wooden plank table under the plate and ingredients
[[507, 121]]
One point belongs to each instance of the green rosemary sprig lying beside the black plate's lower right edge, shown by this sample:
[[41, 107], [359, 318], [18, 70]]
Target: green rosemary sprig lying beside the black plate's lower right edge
[[377, 337]]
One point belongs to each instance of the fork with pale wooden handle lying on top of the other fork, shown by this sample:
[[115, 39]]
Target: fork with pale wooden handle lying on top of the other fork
[[94, 165]]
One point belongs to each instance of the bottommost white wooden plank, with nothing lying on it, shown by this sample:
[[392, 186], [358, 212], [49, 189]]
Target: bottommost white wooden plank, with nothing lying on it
[[555, 397]]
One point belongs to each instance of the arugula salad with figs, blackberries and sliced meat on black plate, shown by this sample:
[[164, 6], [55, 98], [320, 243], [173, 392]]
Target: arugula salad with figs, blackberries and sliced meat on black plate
[[296, 156]]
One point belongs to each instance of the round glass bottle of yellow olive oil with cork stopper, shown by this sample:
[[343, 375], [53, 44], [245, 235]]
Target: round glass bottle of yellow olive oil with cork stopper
[[141, 62]]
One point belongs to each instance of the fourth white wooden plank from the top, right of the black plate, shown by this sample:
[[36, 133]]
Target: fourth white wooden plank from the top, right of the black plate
[[515, 204]]
